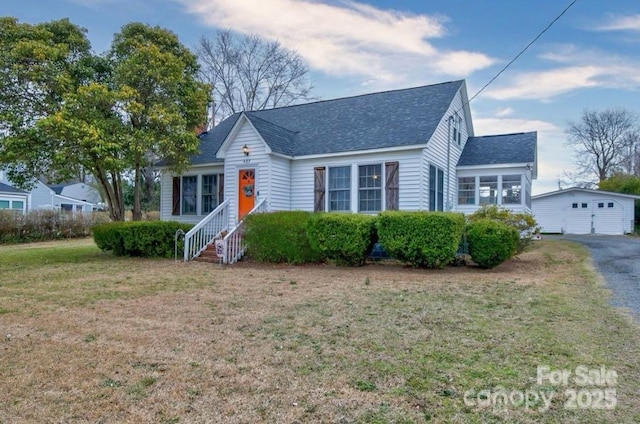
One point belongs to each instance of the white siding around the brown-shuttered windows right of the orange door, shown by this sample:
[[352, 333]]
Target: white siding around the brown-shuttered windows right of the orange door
[[302, 193]]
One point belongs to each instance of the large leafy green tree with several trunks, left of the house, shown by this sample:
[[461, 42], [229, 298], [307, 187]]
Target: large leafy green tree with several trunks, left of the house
[[63, 108]]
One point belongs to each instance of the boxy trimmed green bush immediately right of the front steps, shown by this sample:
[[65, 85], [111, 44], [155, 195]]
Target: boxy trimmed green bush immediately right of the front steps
[[280, 237]]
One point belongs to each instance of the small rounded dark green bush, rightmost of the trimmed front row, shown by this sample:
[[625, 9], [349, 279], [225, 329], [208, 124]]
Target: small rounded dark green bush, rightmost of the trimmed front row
[[491, 242]]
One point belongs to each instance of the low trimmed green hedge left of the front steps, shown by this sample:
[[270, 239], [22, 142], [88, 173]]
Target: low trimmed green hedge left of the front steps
[[151, 239]]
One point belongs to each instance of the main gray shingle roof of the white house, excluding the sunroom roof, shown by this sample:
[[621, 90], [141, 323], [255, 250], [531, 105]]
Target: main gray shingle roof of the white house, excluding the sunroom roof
[[372, 121]]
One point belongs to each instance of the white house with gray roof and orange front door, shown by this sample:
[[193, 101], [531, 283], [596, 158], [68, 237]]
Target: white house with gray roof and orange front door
[[410, 149]]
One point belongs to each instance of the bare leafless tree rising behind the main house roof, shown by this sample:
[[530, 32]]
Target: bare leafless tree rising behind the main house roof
[[250, 73]]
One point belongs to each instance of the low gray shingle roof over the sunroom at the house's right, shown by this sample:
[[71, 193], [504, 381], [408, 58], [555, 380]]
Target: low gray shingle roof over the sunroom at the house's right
[[500, 149]]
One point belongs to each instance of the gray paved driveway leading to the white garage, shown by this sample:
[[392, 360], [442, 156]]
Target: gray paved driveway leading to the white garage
[[617, 258]]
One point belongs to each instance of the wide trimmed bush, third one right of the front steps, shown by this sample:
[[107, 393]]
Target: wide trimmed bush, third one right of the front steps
[[423, 239]]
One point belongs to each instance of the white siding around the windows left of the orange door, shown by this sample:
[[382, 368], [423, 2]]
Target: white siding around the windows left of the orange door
[[166, 193]]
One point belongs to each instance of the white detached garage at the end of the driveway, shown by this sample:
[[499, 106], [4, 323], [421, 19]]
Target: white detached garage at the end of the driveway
[[583, 211]]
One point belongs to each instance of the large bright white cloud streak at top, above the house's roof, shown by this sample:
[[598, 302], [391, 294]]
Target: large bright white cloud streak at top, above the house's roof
[[346, 37]]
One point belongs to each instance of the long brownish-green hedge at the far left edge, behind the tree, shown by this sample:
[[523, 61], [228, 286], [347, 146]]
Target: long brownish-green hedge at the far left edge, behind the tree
[[40, 225]]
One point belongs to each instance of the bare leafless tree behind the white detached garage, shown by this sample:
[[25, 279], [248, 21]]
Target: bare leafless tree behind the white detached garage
[[602, 141]]
